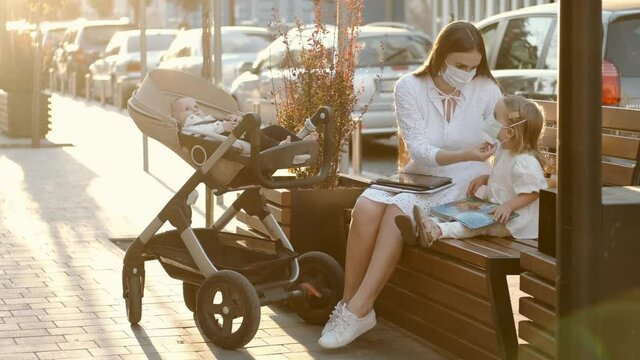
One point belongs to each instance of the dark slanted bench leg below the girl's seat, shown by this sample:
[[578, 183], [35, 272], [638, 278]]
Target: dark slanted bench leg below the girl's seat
[[501, 310]]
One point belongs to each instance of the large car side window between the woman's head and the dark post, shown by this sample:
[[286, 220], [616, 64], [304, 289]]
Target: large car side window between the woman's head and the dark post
[[523, 42]]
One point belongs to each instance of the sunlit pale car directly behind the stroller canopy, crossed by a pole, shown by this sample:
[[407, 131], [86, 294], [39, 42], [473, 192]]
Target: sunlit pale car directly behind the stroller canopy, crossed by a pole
[[239, 44]]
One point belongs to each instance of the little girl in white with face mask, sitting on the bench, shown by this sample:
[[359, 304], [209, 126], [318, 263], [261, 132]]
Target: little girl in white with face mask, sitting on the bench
[[514, 183]]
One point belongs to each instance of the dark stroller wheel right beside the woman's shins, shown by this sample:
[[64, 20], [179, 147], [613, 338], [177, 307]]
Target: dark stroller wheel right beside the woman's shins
[[321, 281]]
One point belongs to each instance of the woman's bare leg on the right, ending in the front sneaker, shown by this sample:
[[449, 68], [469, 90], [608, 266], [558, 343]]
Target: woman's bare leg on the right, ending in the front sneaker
[[385, 257]]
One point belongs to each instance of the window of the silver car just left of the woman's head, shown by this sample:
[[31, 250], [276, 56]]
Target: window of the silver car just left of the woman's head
[[392, 50]]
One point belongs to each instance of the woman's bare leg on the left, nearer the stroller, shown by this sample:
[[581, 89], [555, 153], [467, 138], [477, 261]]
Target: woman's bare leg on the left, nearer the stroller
[[366, 217]]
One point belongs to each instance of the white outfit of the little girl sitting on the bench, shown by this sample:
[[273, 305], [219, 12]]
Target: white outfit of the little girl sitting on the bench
[[512, 174]]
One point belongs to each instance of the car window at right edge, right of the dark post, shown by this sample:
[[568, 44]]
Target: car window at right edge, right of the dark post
[[623, 42]]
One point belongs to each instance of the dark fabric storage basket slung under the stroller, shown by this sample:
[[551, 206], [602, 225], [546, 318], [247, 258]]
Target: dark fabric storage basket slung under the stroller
[[259, 260]]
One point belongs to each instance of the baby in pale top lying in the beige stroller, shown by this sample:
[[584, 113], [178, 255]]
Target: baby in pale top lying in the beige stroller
[[186, 111]]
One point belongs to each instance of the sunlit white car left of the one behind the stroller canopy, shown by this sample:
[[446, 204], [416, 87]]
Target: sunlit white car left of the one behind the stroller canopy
[[120, 62]]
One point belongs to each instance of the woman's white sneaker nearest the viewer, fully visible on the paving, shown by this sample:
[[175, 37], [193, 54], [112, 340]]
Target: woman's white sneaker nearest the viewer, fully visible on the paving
[[348, 328]]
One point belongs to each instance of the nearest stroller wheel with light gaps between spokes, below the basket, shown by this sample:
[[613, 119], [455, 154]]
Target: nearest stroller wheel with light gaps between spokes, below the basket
[[228, 309]]
